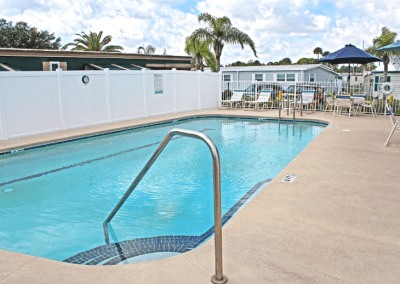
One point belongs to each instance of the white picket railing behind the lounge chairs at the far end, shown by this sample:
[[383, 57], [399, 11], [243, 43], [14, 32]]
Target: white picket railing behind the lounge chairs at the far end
[[253, 89]]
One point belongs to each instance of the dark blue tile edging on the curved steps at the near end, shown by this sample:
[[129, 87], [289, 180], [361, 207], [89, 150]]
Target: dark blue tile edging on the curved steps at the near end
[[115, 253]]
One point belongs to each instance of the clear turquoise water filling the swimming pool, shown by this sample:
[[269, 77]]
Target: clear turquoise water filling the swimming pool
[[54, 199]]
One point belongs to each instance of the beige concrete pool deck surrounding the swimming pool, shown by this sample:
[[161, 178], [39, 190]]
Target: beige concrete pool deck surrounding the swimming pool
[[337, 222]]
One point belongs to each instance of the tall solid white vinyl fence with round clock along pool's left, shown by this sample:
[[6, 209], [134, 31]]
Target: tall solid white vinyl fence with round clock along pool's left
[[33, 103]]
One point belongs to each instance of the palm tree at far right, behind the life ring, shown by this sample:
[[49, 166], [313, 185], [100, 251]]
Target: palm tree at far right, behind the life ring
[[387, 37]]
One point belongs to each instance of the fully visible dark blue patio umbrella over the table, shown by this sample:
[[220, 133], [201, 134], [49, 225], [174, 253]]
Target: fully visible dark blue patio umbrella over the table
[[349, 54]]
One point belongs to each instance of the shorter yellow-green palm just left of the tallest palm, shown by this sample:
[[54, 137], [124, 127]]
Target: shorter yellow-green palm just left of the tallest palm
[[200, 51]]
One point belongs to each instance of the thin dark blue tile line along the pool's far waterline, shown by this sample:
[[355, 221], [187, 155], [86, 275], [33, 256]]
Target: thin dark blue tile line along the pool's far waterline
[[167, 122]]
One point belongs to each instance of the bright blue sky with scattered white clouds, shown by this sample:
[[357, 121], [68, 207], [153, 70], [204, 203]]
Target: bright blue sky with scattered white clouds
[[279, 28]]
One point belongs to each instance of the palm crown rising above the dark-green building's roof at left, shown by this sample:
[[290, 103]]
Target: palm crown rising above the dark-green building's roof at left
[[93, 42]]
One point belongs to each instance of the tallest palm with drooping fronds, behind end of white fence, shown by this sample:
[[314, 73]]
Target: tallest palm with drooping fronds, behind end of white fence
[[221, 32]]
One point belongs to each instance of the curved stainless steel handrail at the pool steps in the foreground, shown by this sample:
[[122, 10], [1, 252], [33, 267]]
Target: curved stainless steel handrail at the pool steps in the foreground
[[218, 277]]
